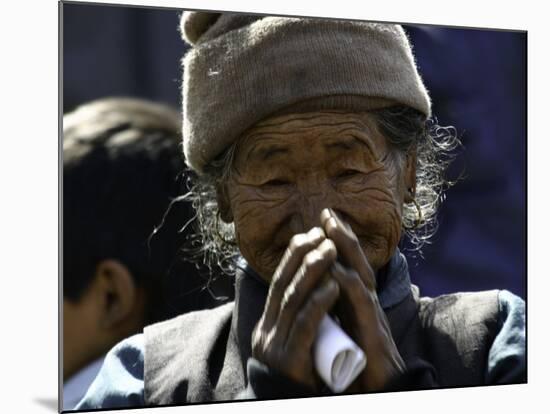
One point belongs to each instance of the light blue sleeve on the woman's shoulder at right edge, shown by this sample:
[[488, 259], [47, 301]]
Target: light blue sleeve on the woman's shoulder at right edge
[[506, 360]]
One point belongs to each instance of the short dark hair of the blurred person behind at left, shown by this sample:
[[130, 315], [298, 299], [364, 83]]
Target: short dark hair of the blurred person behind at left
[[122, 166]]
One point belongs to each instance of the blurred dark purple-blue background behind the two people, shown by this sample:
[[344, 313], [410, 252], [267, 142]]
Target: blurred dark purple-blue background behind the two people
[[477, 81]]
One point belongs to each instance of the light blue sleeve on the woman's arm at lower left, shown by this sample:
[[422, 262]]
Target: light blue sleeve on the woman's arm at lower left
[[119, 383]]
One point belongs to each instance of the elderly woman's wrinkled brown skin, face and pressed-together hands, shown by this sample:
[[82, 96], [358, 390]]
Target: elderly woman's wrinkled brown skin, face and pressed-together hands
[[317, 201]]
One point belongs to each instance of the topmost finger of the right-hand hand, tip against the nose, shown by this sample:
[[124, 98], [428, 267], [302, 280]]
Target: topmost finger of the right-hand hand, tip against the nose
[[348, 246]]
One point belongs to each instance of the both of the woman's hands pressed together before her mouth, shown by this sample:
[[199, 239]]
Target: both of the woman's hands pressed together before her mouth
[[325, 270]]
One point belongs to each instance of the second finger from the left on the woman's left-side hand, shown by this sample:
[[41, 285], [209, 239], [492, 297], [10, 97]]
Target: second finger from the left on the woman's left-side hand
[[314, 267]]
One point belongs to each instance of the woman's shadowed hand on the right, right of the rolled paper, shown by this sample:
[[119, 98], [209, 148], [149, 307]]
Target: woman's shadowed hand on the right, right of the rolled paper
[[358, 308]]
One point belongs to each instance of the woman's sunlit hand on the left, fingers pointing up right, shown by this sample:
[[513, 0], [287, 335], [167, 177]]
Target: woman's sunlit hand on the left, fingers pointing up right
[[301, 293]]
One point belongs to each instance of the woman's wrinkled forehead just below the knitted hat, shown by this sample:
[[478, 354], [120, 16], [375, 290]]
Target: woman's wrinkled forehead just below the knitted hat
[[335, 133]]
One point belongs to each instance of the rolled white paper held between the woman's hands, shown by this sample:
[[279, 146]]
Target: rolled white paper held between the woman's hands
[[337, 358]]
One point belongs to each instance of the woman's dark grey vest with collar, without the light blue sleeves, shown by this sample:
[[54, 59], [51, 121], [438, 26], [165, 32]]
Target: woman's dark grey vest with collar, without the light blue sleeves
[[206, 355]]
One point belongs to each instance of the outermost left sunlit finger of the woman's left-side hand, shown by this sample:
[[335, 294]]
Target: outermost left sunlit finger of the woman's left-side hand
[[298, 247]]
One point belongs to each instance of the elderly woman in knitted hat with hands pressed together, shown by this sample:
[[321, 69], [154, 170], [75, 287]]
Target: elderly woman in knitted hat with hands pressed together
[[313, 157]]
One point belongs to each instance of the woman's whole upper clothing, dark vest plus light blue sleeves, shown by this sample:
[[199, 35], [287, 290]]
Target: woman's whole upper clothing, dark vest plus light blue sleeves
[[453, 340]]
